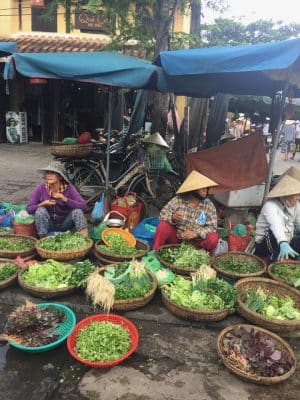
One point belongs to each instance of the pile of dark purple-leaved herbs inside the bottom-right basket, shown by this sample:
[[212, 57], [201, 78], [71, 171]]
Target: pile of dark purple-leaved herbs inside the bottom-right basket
[[255, 353]]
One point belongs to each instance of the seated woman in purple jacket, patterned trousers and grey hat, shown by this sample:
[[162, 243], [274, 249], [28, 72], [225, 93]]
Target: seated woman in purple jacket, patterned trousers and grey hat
[[56, 204]]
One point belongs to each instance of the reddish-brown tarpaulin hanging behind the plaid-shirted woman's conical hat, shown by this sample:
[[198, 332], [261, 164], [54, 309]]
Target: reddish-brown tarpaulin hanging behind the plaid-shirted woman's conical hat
[[234, 165]]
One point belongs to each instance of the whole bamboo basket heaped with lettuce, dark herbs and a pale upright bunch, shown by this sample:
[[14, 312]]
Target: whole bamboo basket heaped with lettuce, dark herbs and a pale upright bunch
[[204, 298]]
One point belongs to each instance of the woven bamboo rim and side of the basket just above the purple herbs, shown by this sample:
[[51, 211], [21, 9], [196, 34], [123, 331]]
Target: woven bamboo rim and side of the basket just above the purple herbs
[[281, 324]]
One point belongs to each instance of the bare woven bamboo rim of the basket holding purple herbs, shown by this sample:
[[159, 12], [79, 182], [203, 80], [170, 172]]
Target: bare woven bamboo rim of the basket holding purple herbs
[[254, 378]]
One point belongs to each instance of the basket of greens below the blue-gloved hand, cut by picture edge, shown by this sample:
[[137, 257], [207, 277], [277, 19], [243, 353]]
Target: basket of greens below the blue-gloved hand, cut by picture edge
[[286, 272]]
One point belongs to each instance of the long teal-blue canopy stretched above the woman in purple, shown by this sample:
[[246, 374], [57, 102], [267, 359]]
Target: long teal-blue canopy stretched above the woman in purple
[[107, 68]]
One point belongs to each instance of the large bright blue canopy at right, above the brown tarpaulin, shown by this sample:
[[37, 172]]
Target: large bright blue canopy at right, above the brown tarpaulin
[[252, 69]]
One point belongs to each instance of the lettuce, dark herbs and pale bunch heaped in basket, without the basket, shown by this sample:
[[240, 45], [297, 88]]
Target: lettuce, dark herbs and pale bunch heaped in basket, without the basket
[[205, 292]]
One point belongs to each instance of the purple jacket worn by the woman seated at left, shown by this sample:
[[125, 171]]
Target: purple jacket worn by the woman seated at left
[[58, 212]]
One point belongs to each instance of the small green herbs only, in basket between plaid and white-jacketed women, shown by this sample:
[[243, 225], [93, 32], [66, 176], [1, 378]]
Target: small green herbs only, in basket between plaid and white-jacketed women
[[239, 265]]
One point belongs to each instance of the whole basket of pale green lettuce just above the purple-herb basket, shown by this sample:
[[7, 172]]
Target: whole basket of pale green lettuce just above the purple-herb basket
[[269, 304]]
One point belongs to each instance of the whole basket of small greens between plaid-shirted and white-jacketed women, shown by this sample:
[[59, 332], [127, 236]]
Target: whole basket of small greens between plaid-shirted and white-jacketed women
[[237, 264]]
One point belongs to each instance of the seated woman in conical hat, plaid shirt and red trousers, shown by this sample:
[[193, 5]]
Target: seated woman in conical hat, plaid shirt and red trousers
[[189, 216]]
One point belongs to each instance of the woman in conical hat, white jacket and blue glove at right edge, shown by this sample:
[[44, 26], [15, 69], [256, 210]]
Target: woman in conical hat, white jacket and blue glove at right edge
[[278, 225]]
